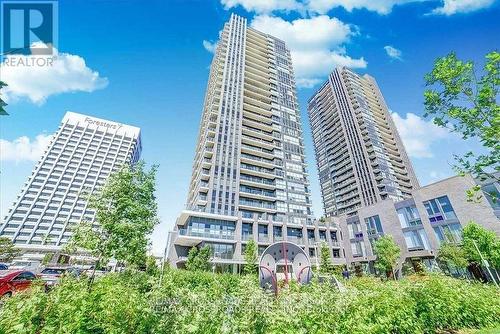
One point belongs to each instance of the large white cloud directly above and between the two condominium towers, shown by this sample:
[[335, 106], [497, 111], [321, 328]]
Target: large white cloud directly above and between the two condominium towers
[[316, 44]]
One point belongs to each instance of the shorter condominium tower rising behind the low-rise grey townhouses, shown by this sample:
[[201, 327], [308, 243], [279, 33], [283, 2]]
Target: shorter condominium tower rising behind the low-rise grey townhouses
[[360, 157]]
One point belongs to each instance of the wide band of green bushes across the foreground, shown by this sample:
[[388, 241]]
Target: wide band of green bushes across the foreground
[[202, 302]]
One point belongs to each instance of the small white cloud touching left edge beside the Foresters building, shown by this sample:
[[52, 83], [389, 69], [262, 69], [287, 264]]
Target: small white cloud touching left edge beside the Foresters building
[[23, 149]]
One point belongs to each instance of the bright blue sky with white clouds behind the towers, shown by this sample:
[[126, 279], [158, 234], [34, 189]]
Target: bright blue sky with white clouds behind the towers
[[146, 63]]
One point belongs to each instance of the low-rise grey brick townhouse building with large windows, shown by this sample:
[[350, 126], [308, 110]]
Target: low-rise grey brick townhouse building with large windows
[[419, 224]]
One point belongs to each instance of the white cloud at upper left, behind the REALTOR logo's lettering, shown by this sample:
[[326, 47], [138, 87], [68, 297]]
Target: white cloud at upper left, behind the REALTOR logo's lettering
[[67, 73]]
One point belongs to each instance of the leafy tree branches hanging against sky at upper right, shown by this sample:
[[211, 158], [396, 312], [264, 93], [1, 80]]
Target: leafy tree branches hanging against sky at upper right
[[467, 104]]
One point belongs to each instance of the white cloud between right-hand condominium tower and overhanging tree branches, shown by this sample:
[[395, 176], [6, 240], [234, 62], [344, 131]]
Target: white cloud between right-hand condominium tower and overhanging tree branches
[[419, 135]]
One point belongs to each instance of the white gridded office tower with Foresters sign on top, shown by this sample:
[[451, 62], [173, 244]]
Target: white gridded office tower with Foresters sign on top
[[79, 158]]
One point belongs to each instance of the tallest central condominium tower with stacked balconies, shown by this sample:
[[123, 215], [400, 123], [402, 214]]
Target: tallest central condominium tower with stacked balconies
[[249, 177]]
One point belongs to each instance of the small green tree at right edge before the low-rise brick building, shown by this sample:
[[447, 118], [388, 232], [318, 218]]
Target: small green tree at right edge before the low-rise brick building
[[487, 242]]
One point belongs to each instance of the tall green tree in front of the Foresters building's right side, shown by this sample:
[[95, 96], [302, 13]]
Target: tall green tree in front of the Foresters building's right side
[[126, 212]]
